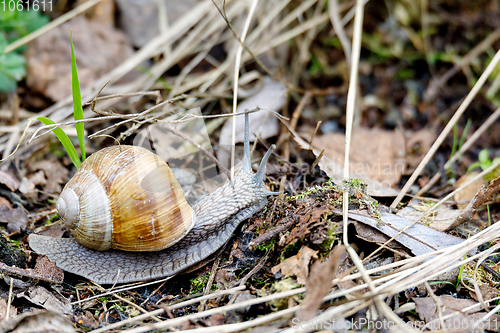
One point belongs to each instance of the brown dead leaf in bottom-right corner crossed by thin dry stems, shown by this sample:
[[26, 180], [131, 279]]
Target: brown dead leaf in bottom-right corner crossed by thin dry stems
[[459, 322]]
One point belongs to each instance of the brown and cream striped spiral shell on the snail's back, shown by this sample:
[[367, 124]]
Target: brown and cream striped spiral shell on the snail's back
[[125, 198]]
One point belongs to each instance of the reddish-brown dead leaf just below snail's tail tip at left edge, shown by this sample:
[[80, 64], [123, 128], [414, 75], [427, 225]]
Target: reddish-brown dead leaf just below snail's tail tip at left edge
[[44, 270]]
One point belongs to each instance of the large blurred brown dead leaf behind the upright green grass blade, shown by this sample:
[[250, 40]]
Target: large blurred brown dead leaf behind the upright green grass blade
[[99, 48]]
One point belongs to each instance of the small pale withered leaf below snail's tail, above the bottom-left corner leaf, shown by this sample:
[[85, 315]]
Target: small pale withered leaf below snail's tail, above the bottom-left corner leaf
[[51, 301]]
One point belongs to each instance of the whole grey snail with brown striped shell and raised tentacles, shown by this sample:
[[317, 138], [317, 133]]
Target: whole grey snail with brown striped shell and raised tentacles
[[141, 226]]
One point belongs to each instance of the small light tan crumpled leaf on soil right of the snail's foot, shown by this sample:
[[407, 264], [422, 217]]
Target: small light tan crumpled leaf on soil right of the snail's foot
[[298, 265]]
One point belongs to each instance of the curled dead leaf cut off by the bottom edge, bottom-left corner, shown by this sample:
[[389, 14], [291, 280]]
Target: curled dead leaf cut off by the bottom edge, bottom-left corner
[[41, 321]]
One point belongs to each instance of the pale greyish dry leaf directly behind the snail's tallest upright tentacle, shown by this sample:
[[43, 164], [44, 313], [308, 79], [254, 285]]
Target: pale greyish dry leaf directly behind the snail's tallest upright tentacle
[[272, 96]]
